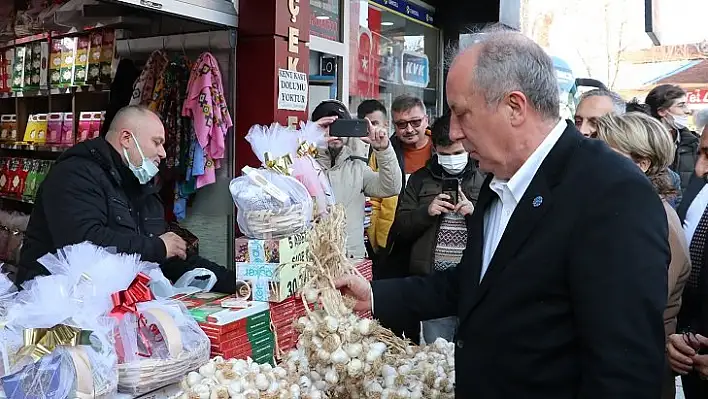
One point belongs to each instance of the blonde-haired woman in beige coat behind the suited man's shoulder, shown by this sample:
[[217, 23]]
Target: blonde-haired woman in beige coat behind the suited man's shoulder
[[647, 143]]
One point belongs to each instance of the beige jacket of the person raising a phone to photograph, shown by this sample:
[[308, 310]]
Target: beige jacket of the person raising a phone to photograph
[[352, 180]]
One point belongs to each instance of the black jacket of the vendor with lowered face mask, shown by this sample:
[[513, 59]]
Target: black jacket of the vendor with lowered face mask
[[90, 195]]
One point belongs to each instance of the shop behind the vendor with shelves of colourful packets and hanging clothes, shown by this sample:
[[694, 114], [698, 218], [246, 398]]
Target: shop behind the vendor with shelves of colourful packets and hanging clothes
[[64, 69]]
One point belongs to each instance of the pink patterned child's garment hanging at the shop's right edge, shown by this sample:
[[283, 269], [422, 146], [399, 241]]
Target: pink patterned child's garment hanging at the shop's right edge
[[206, 105]]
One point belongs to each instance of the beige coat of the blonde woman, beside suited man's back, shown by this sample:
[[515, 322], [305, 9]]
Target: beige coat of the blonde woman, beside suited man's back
[[679, 269]]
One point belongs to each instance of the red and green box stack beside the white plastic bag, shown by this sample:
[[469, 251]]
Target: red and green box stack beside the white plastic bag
[[236, 328]]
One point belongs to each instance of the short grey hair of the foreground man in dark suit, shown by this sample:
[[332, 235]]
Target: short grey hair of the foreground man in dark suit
[[509, 61]]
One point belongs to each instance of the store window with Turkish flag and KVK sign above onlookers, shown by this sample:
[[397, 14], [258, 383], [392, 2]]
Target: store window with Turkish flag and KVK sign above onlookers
[[393, 51]]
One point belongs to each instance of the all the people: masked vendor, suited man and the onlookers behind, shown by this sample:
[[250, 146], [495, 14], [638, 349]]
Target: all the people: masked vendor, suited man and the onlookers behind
[[564, 258]]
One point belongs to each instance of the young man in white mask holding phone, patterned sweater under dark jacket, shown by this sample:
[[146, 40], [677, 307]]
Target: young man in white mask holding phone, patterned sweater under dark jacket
[[431, 223]]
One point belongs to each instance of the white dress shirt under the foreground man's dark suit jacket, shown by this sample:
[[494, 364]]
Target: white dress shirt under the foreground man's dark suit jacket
[[509, 194]]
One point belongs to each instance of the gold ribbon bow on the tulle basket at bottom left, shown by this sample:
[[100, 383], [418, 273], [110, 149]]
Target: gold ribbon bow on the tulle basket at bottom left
[[38, 342]]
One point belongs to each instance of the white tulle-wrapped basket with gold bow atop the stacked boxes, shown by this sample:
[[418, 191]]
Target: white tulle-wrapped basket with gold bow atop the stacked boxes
[[271, 202]]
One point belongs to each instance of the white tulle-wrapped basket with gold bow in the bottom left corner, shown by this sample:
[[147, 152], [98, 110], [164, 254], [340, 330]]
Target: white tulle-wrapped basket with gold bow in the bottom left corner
[[53, 345]]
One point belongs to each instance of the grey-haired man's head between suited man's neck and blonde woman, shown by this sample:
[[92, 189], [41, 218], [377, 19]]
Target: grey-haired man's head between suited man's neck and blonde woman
[[594, 104]]
